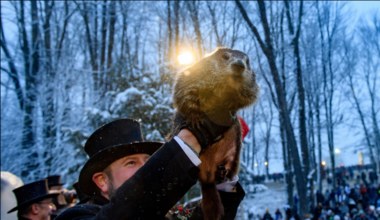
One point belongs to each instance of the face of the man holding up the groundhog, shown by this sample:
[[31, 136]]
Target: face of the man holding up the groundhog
[[122, 169]]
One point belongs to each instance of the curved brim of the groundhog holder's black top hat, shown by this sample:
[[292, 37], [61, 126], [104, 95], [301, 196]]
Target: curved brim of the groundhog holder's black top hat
[[102, 159]]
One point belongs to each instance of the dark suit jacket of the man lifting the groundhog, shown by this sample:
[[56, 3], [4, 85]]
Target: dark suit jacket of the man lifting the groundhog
[[149, 194]]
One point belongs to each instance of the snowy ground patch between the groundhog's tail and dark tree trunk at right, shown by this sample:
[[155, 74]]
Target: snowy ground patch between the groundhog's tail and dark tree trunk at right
[[259, 197]]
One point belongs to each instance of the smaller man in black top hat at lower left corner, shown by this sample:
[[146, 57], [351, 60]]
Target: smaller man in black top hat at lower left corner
[[34, 201]]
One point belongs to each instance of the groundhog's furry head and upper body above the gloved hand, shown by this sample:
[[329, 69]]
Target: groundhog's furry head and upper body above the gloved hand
[[218, 85]]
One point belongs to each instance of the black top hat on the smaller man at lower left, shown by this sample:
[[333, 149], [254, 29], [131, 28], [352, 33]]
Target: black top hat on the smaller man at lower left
[[31, 193]]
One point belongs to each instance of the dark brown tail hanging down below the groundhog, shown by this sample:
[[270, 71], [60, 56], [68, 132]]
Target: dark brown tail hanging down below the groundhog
[[212, 207]]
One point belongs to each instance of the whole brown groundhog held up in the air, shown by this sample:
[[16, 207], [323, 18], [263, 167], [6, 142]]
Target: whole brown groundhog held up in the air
[[216, 87]]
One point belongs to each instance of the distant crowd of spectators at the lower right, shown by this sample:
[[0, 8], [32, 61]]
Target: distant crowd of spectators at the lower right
[[356, 196]]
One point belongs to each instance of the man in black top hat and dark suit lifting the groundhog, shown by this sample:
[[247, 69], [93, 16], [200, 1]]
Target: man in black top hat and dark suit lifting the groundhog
[[124, 184]]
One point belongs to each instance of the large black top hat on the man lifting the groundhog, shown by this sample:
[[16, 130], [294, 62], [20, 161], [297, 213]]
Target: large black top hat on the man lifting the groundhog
[[111, 142]]
